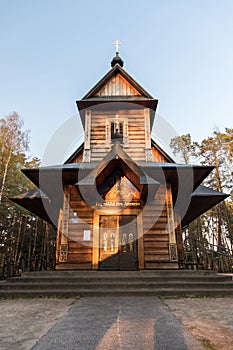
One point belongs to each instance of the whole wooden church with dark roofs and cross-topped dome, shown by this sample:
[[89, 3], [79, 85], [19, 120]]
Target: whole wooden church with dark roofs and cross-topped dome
[[120, 201]]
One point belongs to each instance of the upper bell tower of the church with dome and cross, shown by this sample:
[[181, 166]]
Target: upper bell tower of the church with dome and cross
[[117, 107]]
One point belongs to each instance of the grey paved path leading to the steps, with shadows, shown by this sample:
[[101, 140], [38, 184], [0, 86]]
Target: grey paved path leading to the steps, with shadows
[[112, 323]]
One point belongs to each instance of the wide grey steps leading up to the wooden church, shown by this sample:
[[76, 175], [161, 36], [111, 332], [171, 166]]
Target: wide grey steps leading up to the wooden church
[[117, 283]]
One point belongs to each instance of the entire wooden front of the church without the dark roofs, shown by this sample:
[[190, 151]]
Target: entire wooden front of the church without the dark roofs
[[125, 232]]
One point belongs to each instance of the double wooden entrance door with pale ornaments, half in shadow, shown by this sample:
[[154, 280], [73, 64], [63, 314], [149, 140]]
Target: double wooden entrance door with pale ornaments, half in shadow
[[118, 242]]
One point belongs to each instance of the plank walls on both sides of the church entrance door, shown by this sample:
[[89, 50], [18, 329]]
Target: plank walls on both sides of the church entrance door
[[153, 222]]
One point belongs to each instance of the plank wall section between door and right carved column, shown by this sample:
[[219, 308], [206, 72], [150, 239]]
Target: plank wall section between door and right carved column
[[156, 238]]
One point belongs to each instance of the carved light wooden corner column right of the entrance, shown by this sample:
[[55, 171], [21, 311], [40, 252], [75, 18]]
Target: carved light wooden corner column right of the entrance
[[171, 226]]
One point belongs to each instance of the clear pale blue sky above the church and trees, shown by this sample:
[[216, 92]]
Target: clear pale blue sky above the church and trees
[[54, 51]]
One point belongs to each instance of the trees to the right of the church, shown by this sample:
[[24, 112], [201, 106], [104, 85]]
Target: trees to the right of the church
[[215, 226]]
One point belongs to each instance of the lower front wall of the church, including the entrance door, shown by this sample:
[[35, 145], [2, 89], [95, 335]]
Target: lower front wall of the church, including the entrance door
[[152, 230]]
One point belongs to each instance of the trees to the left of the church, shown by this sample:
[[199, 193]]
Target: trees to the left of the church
[[26, 242]]
